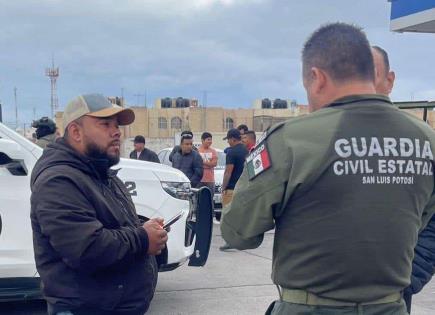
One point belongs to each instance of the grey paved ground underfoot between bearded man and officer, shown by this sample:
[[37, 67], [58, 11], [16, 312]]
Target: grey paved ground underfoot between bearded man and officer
[[232, 283]]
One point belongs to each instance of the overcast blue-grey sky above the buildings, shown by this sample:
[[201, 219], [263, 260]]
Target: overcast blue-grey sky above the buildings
[[236, 50]]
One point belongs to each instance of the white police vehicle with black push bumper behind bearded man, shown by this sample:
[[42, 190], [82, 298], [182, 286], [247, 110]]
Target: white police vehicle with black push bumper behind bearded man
[[157, 191]]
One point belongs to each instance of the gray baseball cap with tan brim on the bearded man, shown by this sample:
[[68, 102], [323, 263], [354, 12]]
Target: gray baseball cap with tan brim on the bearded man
[[95, 105]]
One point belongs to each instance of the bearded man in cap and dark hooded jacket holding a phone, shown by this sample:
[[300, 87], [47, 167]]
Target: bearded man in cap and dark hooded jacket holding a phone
[[93, 254]]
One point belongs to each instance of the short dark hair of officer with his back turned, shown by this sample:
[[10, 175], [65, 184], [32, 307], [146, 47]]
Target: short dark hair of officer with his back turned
[[340, 49]]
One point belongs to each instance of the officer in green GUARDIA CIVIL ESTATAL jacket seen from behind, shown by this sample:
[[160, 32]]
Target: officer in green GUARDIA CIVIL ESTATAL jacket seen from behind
[[347, 188]]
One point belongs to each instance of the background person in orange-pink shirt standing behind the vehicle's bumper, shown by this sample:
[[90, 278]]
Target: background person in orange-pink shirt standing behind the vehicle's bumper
[[209, 159]]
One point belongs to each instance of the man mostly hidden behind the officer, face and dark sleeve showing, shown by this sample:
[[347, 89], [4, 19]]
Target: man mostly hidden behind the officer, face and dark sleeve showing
[[423, 265]]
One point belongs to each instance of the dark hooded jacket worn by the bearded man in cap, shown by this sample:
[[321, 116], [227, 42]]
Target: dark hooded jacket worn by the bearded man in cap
[[90, 248]]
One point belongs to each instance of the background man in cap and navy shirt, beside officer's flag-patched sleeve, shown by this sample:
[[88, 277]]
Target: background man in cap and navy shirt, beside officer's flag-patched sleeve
[[234, 164]]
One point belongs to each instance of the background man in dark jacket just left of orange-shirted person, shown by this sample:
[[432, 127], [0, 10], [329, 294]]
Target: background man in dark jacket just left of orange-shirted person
[[188, 161]]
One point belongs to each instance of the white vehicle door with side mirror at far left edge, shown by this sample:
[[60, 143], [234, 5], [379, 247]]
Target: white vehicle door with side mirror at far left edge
[[16, 246]]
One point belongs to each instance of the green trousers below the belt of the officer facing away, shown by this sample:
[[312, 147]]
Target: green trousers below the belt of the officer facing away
[[285, 308]]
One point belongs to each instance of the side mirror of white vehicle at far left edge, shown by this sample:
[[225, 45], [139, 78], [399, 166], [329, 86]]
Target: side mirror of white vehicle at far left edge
[[12, 158]]
